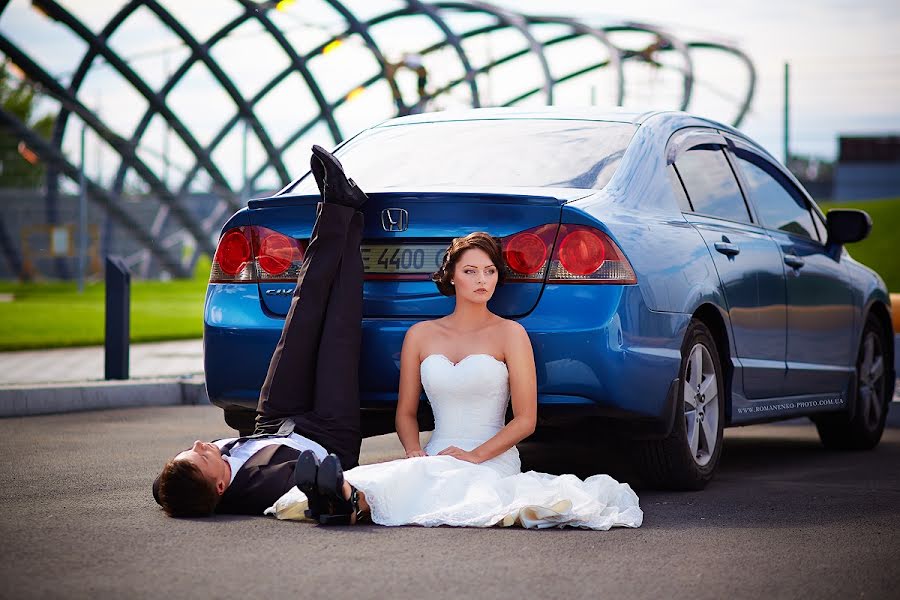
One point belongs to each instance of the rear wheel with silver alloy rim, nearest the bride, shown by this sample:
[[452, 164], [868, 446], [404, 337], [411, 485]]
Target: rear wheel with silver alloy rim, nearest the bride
[[686, 459]]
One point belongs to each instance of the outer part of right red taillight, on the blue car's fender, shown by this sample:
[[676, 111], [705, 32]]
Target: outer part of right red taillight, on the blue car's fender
[[587, 255]]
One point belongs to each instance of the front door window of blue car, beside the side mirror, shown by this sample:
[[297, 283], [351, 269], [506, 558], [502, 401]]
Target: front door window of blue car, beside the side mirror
[[779, 205]]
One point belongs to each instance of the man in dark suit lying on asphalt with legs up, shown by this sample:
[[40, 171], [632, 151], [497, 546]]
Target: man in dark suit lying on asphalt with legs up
[[310, 397]]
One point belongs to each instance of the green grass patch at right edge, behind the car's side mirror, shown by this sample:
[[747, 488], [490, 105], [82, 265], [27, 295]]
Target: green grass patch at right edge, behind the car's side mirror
[[881, 250]]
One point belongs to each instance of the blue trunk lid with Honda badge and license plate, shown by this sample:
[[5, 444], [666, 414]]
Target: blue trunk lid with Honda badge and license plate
[[404, 239]]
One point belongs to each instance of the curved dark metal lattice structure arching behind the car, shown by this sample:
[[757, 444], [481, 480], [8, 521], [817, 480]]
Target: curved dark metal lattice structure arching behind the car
[[435, 11]]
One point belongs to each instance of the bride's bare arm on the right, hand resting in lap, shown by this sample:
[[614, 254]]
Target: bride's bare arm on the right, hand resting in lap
[[523, 391]]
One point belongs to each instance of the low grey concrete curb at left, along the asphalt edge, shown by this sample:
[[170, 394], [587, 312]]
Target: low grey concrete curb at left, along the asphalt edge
[[28, 399]]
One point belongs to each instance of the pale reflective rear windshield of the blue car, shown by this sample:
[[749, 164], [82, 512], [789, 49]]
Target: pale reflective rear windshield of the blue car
[[513, 152]]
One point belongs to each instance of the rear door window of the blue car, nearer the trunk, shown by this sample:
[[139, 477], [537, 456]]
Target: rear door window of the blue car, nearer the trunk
[[710, 183]]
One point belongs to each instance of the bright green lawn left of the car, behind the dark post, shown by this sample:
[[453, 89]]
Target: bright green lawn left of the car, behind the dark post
[[54, 314]]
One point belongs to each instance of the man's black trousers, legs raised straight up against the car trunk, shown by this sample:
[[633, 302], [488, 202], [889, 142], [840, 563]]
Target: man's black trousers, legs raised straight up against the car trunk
[[313, 376]]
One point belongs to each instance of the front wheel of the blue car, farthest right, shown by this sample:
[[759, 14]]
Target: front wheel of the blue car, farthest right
[[838, 431]]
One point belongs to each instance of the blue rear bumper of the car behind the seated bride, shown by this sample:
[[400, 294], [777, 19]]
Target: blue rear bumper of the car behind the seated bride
[[599, 352]]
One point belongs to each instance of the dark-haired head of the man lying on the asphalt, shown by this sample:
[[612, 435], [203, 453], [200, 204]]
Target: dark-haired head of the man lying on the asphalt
[[192, 483]]
